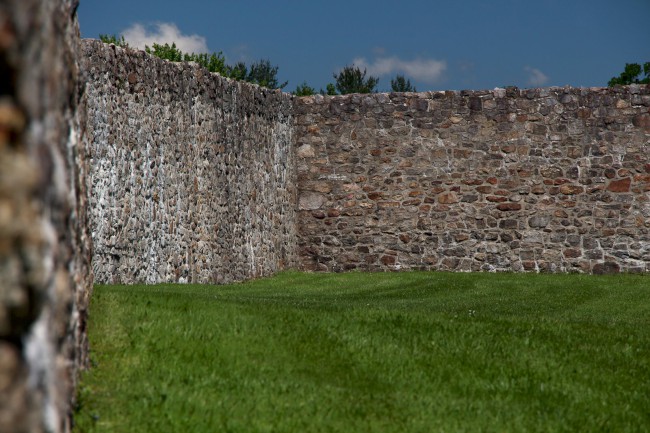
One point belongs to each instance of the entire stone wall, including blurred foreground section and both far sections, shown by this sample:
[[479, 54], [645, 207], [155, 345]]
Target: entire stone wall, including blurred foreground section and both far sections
[[184, 176]]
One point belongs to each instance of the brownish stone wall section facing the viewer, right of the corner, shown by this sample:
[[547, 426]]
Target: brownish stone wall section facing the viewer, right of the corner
[[506, 180]]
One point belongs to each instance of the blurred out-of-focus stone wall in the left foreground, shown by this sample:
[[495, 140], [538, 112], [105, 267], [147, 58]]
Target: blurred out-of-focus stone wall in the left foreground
[[45, 277]]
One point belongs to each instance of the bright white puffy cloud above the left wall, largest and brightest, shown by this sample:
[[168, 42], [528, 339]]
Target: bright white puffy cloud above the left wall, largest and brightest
[[164, 33]]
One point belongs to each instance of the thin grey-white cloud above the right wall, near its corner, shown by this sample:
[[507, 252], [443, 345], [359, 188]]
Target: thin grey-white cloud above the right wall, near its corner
[[425, 70]]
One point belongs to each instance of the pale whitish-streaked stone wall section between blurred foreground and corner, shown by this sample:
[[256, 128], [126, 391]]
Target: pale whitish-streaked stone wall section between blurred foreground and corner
[[192, 174]]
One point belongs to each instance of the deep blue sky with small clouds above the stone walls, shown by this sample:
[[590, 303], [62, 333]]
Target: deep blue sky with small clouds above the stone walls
[[439, 45]]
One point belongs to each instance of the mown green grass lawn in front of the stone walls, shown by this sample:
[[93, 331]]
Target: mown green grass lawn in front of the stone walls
[[384, 352]]
